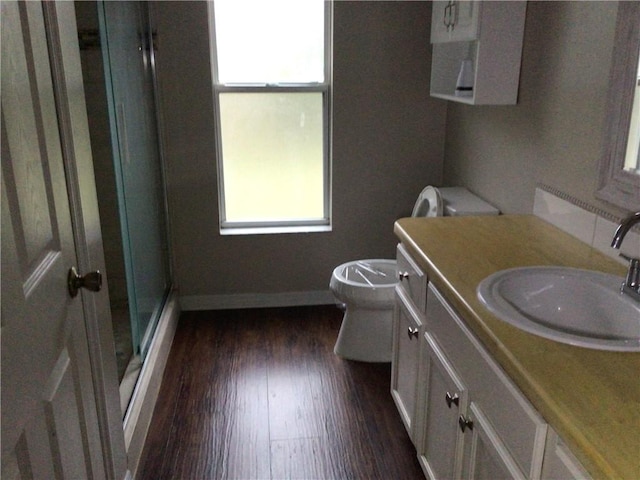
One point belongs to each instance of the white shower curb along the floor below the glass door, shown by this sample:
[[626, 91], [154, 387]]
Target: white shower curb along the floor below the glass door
[[140, 411]]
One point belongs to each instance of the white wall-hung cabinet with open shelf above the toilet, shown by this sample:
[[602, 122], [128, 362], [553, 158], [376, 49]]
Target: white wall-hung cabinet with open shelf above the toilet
[[488, 37]]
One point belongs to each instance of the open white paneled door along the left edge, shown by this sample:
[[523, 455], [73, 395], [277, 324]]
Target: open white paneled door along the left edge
[[56, 420]]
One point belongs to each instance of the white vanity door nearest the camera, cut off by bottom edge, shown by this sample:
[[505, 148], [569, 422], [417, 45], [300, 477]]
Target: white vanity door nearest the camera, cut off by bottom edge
[[486, 457]]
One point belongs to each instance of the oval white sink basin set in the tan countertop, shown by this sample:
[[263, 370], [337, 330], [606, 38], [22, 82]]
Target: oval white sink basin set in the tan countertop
[[579, 307]]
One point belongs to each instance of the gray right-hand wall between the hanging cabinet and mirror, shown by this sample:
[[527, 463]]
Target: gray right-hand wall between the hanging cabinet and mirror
[[554, 135]]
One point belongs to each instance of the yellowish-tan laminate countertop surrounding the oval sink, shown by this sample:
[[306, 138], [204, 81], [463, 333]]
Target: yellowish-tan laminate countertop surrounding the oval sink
[[590, 397]]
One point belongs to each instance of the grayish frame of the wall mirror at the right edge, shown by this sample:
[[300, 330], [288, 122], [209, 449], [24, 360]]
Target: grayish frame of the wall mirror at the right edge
[[615, 185]]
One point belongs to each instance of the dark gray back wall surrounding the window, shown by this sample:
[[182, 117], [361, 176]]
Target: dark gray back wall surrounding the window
[[388, 141]]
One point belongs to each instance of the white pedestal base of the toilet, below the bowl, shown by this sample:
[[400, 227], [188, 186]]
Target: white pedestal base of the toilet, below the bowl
[[366, 335]]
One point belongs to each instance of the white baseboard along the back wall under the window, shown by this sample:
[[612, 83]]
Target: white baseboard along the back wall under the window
[[256, 300]]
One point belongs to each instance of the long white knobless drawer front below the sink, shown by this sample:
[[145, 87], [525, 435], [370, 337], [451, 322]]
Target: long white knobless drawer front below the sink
[[509, 413]]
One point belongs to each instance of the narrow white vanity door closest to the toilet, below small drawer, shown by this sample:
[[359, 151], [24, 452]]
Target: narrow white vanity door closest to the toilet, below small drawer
[[406, 350]]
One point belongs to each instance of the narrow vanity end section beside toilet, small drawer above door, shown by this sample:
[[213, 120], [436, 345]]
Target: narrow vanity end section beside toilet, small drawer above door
[[407, 330]]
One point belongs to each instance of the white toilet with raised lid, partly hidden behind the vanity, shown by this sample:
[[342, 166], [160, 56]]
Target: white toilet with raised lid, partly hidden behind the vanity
[[366, 288]]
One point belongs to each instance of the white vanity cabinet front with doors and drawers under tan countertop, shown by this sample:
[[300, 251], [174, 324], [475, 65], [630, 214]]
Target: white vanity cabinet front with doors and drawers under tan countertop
[[465, 417]]
